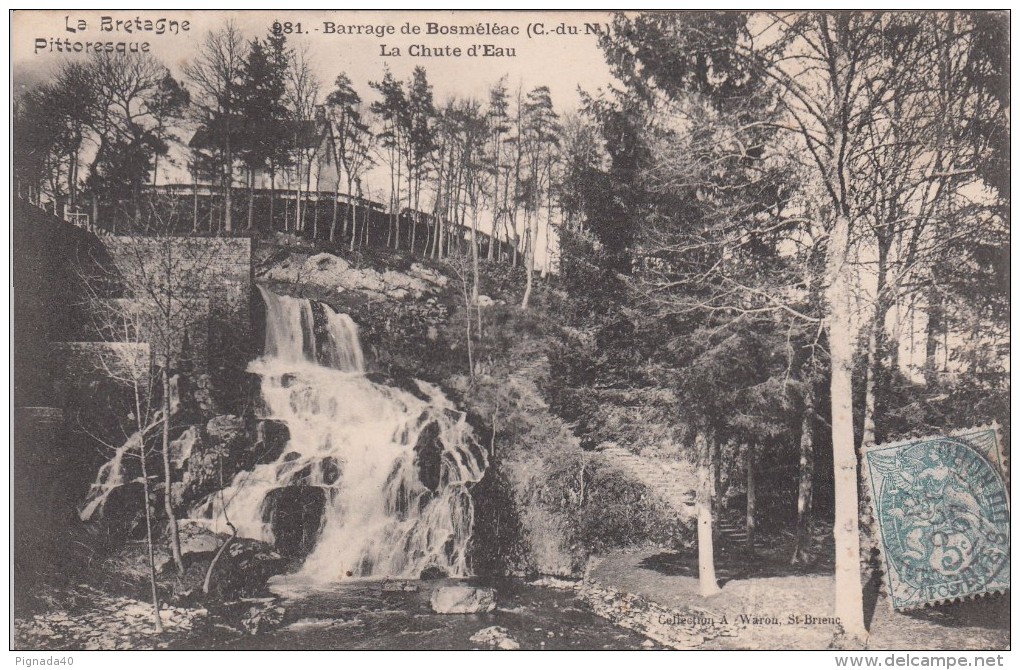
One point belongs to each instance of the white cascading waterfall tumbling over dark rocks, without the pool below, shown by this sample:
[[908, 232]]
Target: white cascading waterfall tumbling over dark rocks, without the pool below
[[391, 470]]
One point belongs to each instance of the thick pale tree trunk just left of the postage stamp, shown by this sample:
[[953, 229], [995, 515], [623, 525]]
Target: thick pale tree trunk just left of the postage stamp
[[849, 596]]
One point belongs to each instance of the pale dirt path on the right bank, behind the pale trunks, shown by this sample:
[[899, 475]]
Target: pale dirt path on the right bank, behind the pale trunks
[[656, 594]]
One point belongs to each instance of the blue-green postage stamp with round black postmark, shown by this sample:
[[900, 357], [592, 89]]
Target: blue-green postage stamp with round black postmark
[[942, 507]]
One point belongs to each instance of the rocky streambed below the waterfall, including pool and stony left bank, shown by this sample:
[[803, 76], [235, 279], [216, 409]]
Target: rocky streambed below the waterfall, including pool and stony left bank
[[358, 615]]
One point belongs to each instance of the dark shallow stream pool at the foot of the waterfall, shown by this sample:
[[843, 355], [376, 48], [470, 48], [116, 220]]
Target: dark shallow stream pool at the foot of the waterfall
[[362, 615]]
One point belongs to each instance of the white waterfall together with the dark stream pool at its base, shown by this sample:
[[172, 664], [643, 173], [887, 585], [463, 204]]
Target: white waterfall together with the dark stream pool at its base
[[395, 468]]
